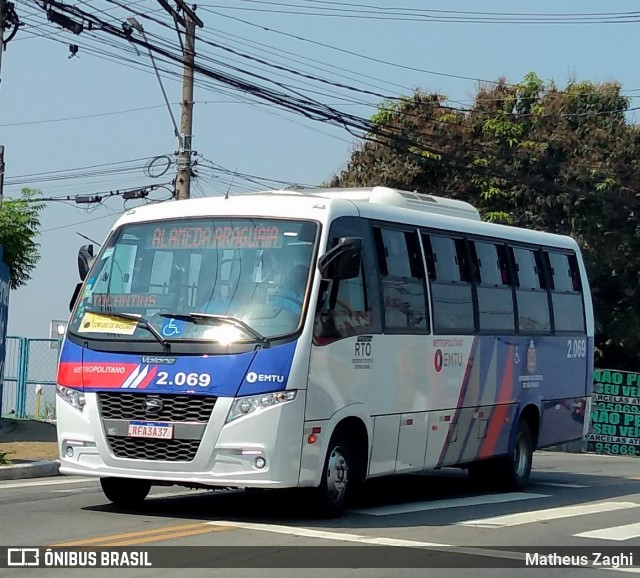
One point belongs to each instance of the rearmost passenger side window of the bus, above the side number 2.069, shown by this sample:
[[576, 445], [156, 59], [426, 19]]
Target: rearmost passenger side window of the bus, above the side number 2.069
[[566, 295]]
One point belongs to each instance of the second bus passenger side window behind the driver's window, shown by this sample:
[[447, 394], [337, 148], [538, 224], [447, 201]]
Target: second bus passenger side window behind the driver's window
[[451, 289]]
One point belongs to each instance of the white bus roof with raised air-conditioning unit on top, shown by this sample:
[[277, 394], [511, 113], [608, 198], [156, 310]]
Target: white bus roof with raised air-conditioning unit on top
[[381, 203]]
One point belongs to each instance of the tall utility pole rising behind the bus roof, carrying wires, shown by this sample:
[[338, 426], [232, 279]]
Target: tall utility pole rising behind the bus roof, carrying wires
[[183, 179]]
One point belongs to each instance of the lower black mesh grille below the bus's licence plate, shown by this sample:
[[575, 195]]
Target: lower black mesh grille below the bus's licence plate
[[151, 449]]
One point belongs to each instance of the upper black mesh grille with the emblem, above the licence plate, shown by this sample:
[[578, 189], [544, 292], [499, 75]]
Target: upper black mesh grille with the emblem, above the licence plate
[[165, 407]]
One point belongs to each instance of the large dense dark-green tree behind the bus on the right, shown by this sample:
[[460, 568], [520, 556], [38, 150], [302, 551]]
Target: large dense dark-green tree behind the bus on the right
[[531, 155]]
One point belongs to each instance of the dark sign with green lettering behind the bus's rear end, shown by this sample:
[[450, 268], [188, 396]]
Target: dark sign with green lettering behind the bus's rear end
[[615, 413]]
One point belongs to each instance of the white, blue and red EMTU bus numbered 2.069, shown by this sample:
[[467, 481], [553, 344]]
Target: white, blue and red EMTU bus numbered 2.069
[[319, 338]]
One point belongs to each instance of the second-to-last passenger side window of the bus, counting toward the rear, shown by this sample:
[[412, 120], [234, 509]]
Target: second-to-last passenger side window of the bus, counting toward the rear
[[531, 292]]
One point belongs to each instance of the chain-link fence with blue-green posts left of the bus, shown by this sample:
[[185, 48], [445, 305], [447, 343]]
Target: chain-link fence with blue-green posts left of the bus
[[30, 378]]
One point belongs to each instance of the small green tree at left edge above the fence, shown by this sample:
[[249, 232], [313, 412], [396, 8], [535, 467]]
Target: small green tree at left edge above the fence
[[19, 227]]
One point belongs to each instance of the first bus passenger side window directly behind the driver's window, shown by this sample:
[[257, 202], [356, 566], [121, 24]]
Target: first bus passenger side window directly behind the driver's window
[[403, 280]]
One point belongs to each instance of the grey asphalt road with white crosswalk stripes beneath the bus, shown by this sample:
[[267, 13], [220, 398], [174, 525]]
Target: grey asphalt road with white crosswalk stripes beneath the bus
[[423, 521]]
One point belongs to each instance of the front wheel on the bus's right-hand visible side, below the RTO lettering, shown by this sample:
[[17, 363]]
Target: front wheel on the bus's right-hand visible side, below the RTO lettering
[[336, 482]]
